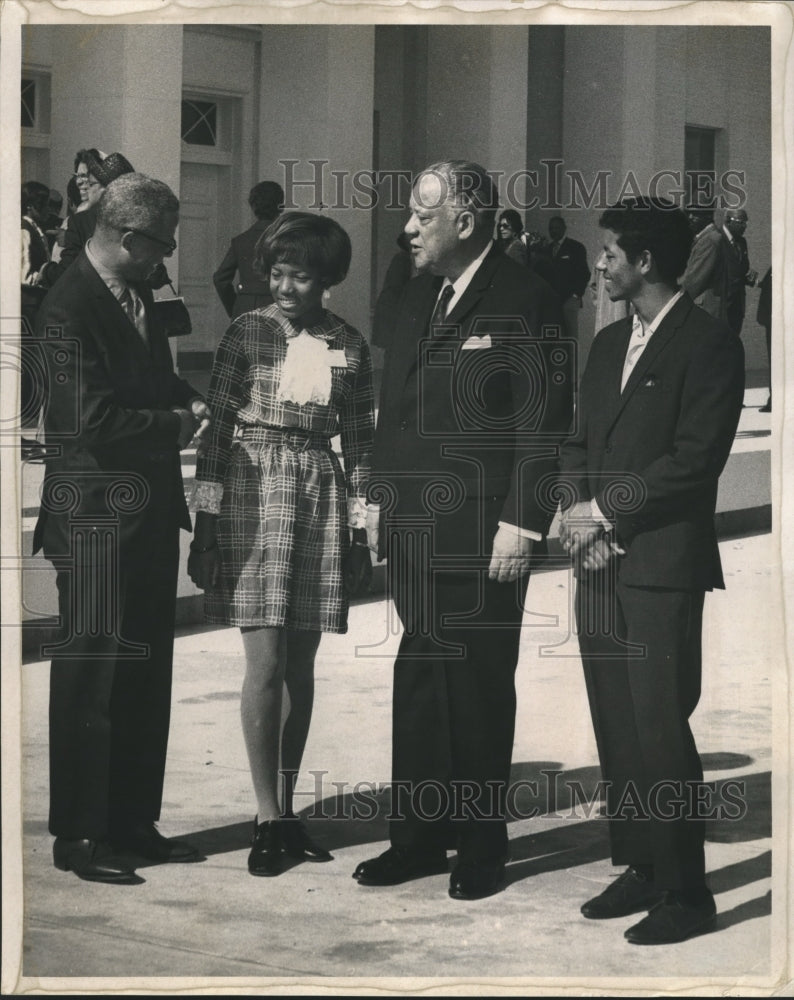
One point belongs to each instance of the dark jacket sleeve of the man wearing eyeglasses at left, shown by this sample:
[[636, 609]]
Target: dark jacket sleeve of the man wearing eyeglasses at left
[[85, 400]]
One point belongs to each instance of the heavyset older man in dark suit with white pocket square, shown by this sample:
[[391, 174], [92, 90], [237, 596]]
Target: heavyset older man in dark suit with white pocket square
[[477, 395]]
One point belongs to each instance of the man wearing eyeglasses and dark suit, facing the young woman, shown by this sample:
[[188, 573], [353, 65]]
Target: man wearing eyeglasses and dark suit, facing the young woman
[[112, 506]]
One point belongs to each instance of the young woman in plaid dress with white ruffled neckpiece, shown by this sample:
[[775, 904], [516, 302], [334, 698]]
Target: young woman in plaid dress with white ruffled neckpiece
[[280, 539]]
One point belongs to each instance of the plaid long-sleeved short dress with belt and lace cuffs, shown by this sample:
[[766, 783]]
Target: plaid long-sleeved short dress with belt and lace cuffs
[[274, 480]]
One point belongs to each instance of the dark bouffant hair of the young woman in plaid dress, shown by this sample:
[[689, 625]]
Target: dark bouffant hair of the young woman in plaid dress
[[306, 240]]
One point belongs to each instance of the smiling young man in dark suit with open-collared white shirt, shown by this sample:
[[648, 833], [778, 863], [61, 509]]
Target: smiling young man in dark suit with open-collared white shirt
[[658, 409]]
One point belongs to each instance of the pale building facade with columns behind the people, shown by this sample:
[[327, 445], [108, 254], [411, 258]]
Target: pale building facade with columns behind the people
[[570, 117]]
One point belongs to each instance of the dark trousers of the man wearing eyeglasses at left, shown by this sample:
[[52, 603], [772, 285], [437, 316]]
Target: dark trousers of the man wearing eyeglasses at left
[[110, 710]]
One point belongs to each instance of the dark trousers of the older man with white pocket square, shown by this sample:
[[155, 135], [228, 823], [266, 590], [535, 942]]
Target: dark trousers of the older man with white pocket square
[[454, 715]]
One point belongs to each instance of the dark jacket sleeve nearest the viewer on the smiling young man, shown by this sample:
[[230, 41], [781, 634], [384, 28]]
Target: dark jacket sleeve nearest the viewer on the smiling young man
[[711, 403]]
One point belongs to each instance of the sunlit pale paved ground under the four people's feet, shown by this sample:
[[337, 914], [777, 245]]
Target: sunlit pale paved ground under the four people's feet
[[313, 929]]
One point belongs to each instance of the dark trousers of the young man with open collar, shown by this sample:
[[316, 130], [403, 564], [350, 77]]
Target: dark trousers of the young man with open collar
[[642, 663]]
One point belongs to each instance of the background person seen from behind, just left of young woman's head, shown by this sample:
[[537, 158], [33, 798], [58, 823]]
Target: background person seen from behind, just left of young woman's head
[[252, 290]]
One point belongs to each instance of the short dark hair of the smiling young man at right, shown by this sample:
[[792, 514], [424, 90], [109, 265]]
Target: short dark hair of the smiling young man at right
[[655, 225]]
